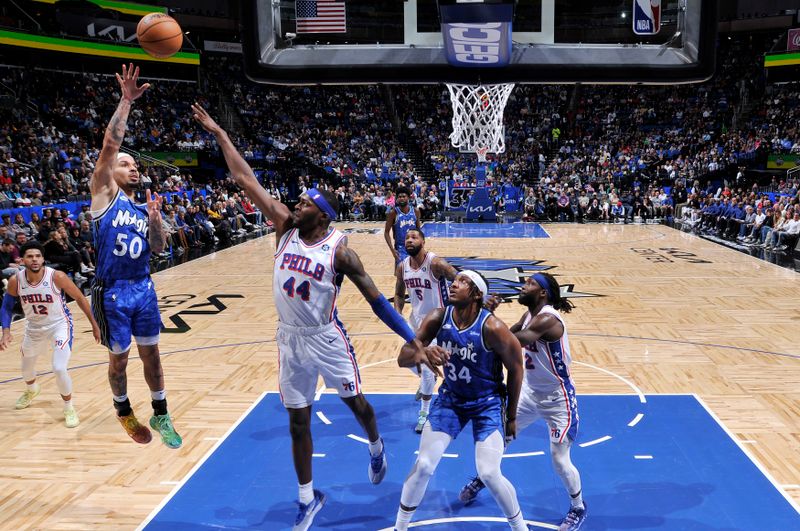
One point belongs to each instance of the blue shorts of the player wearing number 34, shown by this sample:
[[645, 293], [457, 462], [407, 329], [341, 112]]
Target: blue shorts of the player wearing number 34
[[450, 414]]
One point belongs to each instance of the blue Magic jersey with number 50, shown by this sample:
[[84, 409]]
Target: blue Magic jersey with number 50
[[120, 240]]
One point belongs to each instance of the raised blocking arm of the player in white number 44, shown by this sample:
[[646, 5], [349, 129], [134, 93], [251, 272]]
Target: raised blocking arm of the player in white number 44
[[243, 174]]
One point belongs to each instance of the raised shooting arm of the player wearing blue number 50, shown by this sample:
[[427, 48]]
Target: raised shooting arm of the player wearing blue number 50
[[102, 185]]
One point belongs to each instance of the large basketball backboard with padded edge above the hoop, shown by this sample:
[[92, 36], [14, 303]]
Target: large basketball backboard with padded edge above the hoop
[[296, 42]]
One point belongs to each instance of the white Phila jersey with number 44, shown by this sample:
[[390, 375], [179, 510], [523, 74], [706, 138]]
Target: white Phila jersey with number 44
[[304, 282]]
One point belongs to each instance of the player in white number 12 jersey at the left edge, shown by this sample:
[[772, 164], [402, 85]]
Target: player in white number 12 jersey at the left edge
[[49, 323]]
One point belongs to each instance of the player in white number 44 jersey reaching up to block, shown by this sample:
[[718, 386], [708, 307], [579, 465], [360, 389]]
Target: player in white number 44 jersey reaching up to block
[[311, 261]]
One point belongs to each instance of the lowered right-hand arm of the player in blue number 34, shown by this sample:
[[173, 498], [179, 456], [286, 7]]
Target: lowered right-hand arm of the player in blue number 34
[[506, 347]]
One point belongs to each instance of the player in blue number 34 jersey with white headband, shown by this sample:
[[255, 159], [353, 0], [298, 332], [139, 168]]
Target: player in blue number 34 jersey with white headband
[[473, 346]]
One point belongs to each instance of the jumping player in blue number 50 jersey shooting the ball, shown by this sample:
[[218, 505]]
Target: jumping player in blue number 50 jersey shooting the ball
[[123, 296]]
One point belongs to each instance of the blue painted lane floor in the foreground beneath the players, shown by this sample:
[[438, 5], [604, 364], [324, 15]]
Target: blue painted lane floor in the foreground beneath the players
[[697, 479]]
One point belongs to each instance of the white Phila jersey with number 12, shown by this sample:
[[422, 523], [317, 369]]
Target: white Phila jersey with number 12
[[43, 303]]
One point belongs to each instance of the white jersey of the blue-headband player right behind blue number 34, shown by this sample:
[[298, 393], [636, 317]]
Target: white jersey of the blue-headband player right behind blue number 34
[[547, 363]]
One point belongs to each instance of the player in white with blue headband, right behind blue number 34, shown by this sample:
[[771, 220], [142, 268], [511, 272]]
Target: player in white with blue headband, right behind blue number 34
[[548, 392]]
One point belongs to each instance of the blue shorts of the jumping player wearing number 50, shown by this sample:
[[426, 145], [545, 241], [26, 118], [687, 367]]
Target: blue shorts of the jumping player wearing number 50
[[125, 308]]
